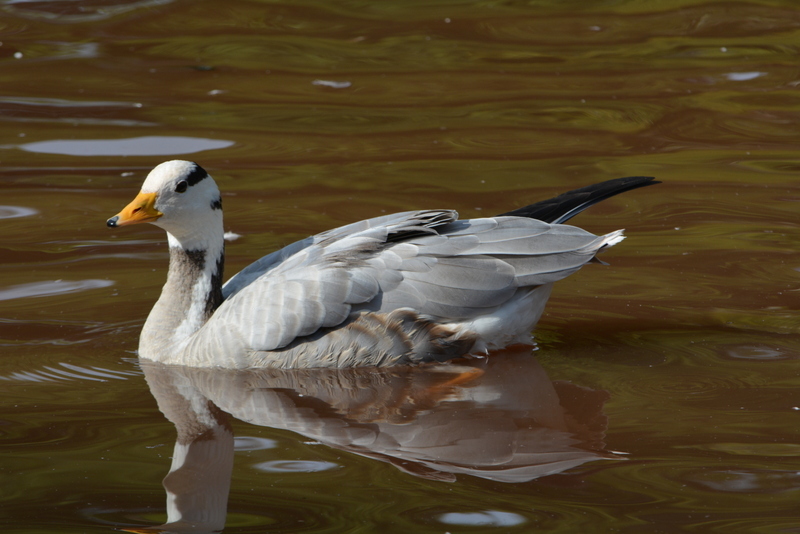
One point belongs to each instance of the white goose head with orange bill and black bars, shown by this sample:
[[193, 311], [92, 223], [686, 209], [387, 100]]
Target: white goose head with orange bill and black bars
[[181, 198]]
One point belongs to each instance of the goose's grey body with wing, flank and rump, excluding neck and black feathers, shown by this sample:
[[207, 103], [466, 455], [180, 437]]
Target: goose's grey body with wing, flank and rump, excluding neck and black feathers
[[409, 287]]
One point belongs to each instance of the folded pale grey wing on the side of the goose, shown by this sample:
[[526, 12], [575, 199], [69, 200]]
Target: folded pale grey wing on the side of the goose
[[426, 261]]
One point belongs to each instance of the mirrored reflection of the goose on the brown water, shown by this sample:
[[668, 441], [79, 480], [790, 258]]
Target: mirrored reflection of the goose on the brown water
[[500, 419]]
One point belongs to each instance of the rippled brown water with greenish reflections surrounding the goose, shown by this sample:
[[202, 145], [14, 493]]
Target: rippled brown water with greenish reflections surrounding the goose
[[664, 395]]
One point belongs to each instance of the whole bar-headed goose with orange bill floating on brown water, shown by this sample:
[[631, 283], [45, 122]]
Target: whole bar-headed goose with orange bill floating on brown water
[[410, 287]]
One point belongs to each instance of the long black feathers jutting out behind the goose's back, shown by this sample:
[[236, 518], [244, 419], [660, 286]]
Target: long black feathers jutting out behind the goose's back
[[565, 206]]
